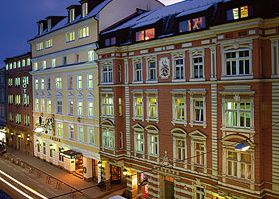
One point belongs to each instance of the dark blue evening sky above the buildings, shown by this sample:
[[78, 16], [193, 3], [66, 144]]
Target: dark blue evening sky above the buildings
[[18, 22]]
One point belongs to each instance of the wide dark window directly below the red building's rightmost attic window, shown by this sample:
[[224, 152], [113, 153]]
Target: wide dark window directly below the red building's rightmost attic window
[[237, 63]]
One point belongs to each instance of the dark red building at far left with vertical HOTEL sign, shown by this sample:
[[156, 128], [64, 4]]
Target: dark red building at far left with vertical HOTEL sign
[[19, 103]]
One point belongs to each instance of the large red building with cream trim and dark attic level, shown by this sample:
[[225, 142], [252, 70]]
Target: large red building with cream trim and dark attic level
[[181, 88]]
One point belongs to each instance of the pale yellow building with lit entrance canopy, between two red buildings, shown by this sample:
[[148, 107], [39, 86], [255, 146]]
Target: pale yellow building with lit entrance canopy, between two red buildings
[[65, 78]]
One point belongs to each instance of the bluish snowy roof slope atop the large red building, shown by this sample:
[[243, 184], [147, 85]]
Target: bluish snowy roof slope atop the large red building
[[178, 9]]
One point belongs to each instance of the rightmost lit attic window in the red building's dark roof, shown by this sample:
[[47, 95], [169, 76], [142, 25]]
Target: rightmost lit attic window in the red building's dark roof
[[239, 13]]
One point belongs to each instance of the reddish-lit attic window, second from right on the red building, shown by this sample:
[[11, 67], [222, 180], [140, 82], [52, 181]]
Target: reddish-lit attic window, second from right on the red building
[[192, 24]]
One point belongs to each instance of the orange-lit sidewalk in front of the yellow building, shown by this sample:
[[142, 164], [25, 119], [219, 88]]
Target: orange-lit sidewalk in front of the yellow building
[[64, 176]]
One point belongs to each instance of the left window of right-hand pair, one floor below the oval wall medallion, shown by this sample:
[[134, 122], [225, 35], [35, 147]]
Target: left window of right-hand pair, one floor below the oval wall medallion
[[179, 109]]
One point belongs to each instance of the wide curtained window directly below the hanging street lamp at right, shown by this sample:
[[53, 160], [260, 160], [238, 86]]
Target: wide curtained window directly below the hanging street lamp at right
[[239, 164]]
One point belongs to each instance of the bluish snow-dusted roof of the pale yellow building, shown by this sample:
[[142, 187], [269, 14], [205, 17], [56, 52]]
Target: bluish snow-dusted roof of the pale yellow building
[[64, 22]]
